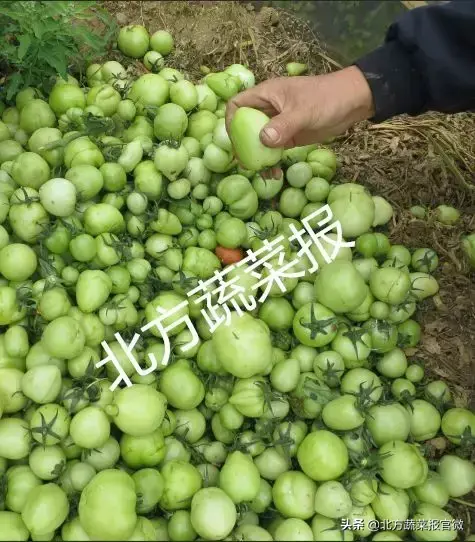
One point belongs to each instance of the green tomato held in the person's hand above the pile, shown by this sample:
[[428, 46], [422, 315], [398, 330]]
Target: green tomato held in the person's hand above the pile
[[246, 126]]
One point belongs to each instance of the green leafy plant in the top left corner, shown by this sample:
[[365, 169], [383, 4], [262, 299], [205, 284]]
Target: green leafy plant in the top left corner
[[43, 39]]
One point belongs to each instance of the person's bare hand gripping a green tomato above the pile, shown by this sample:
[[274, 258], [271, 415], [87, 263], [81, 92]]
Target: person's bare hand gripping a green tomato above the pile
[[307, 109]]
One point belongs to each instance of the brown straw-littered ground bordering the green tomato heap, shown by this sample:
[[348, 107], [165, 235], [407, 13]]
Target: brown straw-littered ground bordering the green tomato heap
[[429, 160]]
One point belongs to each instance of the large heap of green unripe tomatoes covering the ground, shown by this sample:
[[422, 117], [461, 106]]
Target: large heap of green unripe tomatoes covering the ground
[[294, 419]]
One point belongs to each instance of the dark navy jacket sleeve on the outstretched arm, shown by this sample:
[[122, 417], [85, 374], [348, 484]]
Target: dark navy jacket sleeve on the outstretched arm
[[427, 62]]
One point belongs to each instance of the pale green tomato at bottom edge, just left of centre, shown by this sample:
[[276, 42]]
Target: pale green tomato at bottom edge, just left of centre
[[213, 514]]
